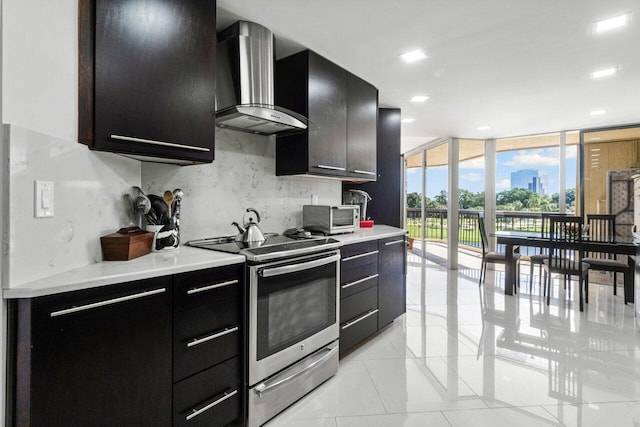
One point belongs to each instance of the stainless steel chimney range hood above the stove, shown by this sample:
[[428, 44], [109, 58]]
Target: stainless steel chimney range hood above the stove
[[245, 64]]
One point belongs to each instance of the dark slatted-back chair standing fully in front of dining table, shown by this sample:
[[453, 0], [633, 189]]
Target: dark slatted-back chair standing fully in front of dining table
[[564, 260]]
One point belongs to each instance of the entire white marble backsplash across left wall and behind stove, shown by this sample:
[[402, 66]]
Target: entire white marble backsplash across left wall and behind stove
[[89, 202]]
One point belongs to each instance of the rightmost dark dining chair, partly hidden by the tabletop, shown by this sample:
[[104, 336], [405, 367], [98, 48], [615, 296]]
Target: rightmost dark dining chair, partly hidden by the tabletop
[[602, 228]]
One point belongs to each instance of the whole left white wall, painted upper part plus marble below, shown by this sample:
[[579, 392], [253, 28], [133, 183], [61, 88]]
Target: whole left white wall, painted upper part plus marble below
[[39, 101]]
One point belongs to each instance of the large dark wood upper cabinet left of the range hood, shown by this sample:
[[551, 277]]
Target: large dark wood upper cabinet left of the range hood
[[147, 78]]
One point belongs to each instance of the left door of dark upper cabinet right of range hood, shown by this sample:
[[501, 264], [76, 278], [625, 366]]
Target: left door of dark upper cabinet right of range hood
[[328, 112]]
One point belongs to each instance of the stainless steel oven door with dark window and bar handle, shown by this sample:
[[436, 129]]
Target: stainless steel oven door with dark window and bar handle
[[293, 311]]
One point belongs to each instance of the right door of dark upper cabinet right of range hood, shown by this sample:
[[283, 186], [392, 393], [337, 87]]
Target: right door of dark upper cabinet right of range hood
[[362, 122]]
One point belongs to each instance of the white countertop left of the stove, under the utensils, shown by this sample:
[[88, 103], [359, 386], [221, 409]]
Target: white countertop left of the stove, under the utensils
[[104, 273]]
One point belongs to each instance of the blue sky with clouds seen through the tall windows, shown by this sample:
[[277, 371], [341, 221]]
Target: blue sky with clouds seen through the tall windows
[[472, 171]]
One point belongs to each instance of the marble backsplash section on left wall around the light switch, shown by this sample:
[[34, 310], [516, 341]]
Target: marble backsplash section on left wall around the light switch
[[88, 203]]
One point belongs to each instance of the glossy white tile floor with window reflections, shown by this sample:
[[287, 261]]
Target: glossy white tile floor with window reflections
[[469, 356]]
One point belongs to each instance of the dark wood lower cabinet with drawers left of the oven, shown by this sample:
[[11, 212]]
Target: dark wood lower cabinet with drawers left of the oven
[[156, 352]]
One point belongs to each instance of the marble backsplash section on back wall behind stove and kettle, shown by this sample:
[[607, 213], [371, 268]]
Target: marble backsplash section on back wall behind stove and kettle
[[241, 176]]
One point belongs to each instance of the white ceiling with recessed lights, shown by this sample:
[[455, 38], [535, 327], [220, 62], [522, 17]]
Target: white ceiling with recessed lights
[[521, 68]]
